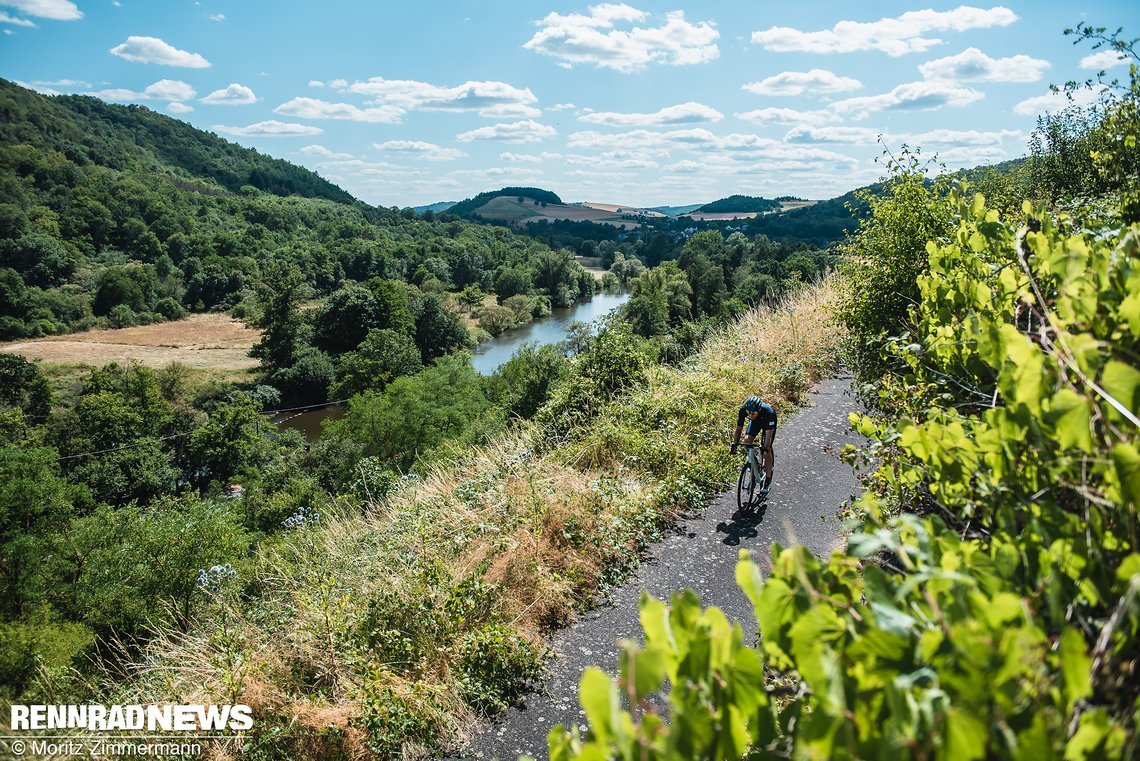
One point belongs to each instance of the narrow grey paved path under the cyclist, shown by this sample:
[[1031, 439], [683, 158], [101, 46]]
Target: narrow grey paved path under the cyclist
[[810, 485]]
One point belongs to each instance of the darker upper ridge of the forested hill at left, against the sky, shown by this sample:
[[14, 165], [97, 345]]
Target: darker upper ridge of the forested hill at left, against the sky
[[89, 132]]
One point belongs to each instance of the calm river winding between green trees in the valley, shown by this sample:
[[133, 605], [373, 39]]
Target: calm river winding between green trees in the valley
[[488, 356]]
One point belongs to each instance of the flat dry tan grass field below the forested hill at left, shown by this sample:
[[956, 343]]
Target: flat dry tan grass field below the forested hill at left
[[205, 342]]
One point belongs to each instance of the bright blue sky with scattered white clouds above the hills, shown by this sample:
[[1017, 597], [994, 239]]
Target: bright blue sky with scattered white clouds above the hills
[[640, 104]]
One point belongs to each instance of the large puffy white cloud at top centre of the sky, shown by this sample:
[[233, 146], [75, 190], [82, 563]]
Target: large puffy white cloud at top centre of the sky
[[582, 39]]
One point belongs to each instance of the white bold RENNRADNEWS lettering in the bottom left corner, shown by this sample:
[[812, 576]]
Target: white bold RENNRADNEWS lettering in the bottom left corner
[[135, 718]]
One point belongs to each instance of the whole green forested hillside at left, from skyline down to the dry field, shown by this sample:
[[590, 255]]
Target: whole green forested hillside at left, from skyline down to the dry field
[[117, 216]]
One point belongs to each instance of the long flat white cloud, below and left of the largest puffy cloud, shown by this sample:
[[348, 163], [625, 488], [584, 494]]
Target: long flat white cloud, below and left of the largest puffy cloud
[[491, 100]]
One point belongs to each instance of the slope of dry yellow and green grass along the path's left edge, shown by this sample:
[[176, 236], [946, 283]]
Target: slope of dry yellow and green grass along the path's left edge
[[535, 529]]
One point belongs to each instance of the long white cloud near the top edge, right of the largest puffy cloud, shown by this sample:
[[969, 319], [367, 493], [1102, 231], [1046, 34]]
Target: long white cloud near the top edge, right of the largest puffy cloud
[[894, 37]]
